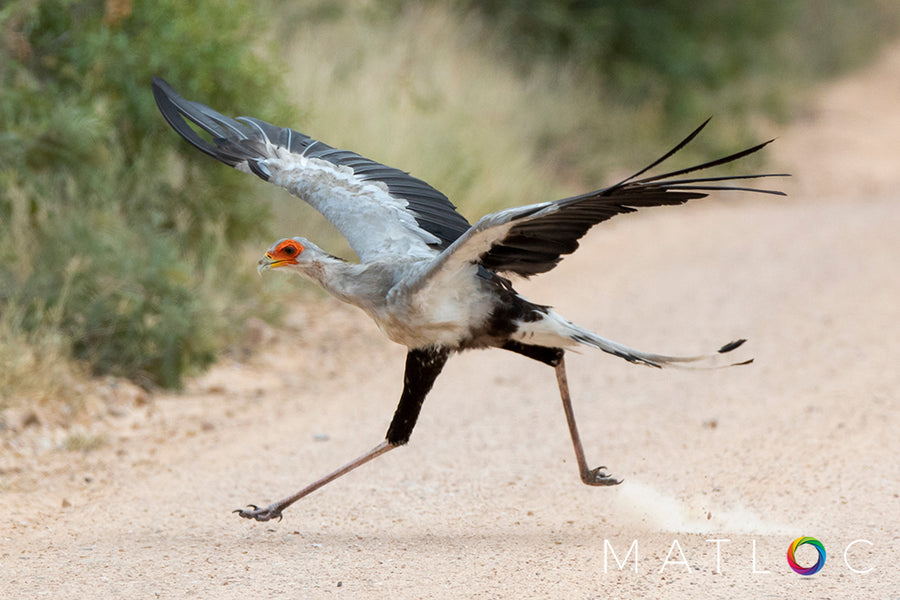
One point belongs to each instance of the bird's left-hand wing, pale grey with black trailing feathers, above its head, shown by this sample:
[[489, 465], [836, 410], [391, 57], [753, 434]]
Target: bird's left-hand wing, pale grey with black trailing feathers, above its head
[[383, 212]]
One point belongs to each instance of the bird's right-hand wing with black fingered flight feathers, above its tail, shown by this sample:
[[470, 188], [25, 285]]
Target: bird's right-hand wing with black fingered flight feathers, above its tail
[[532, 239]]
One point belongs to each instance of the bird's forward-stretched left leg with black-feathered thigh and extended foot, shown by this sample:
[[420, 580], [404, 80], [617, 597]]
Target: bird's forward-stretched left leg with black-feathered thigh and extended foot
[[423, 365]]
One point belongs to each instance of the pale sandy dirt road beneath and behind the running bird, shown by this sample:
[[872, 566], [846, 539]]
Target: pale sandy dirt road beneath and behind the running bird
[[486, 502]]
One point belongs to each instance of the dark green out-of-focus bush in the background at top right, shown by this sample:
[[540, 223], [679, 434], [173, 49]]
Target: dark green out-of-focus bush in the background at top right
[[681, 55]]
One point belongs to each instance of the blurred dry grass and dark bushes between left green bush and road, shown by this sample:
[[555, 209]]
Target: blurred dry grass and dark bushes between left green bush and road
[[511, 101]]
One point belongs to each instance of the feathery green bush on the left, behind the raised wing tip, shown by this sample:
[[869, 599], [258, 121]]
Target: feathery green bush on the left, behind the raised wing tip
[[112, 230]]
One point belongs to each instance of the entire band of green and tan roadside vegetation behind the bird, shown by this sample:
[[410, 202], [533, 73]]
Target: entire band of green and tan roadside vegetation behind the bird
[[122, 249]]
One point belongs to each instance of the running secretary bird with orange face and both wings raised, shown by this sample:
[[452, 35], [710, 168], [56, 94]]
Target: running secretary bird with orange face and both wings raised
[[430, 280]]
